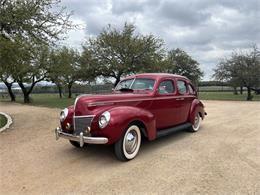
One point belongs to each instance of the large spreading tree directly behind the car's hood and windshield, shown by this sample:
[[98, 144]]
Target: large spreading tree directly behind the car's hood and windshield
[[122, 52]]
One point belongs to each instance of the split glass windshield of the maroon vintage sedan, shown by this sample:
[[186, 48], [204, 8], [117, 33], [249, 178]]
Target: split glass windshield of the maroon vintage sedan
[[136, 84]]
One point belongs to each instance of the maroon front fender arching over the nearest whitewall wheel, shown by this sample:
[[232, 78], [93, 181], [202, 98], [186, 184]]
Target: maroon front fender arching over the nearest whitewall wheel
[[121, 117]]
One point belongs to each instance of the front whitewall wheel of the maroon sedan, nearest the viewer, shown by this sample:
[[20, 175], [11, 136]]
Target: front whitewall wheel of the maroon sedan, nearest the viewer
[[127, 147]]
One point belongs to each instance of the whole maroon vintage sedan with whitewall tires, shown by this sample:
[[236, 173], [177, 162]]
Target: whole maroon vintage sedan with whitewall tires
[[144, 105]]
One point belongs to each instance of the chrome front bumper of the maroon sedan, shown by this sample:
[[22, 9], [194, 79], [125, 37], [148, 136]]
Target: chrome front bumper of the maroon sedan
[[80, 138]]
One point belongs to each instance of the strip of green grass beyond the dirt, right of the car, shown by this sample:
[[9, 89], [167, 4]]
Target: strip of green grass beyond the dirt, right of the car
[[226, 96]]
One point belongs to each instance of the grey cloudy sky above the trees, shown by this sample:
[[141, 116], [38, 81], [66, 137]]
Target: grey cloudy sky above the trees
[[207, 29]]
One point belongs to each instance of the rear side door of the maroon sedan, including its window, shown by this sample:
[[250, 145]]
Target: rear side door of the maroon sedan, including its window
[[184, 100]]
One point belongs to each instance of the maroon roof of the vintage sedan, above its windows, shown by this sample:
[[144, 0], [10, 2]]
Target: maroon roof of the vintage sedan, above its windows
[[155, 76]]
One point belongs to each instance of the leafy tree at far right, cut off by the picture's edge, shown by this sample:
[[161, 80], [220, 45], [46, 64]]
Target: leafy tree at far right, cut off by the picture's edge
[[241, 69]]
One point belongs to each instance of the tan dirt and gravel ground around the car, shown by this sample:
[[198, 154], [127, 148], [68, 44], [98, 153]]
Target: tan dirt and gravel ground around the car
[[222, 158]]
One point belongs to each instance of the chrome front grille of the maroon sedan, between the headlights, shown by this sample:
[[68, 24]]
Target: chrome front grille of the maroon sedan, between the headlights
[[81, 123]]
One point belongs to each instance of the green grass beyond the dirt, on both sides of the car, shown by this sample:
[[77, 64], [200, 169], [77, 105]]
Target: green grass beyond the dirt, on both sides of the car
[[53, 100]]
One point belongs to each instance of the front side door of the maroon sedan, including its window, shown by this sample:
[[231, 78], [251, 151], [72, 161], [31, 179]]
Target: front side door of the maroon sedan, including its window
[[164, 105]]
